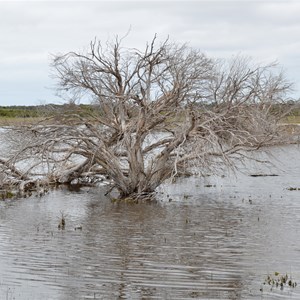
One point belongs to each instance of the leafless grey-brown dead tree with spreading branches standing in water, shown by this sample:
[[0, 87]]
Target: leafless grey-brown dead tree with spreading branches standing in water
[[154, 114]]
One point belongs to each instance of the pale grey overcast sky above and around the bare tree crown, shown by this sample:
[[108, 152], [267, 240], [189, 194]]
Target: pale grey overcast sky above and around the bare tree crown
[[31, 31]]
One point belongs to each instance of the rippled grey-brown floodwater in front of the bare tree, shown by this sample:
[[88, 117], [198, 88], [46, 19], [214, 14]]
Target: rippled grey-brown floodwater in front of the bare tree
[[205, 238]]
